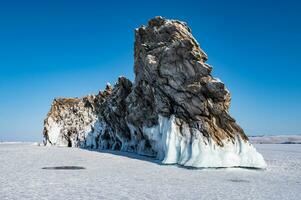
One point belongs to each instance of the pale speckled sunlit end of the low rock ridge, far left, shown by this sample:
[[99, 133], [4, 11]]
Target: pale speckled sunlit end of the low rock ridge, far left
[[68, 121]]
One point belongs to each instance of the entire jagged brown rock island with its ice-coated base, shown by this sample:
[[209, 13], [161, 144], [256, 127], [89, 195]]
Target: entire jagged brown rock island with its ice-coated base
[[175, 110]]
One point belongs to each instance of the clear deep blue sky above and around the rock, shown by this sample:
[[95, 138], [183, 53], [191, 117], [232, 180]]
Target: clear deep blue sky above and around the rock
[[72, 48]]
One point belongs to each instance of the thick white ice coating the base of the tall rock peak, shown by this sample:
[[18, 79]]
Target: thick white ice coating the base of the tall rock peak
[[195, 150]]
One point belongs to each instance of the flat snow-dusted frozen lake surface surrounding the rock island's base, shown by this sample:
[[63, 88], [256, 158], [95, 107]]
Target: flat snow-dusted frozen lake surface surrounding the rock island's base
[[28, 171]]
